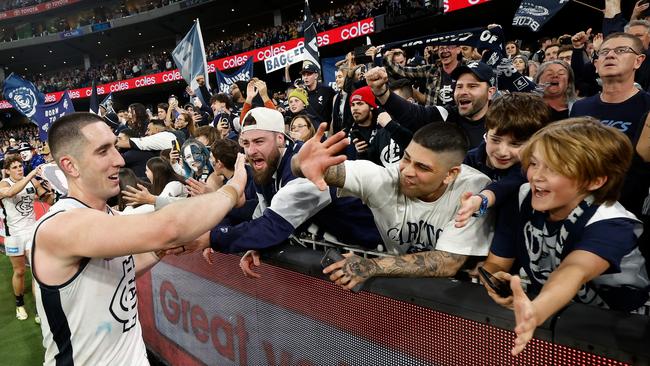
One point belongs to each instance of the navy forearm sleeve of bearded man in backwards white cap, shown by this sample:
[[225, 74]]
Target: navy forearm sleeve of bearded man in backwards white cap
[[266, 231]]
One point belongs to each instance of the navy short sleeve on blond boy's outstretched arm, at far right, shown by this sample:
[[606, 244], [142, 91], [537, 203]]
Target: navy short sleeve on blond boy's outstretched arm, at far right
[[609, 239]]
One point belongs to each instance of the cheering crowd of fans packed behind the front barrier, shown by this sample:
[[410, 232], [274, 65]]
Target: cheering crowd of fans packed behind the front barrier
[[438, 165]]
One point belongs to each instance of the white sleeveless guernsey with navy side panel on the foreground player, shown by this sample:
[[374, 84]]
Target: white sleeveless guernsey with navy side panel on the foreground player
[[92, 319]]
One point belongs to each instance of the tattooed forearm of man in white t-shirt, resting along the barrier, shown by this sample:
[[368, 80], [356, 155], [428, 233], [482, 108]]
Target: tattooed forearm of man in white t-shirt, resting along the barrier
[[434, 263]]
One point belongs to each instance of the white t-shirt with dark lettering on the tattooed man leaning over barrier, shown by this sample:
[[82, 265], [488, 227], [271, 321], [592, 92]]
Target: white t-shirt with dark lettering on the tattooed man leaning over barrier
[[409, 225]]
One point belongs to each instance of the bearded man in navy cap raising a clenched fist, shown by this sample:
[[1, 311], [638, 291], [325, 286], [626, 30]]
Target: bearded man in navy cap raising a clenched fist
[[474, 86]]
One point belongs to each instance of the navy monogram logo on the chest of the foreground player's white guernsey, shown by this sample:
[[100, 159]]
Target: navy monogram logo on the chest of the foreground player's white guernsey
[[125, 299]]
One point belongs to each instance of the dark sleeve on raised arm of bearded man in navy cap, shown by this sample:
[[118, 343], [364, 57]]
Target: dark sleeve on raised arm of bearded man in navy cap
[[411, 116]]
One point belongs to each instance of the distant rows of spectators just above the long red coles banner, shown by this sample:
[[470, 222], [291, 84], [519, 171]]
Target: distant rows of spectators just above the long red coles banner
[[153, 62]]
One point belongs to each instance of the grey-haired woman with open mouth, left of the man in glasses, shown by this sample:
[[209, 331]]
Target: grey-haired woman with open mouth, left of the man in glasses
[[556, 77]]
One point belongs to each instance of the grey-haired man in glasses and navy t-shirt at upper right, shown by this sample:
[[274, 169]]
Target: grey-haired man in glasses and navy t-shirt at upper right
[[620, 104]]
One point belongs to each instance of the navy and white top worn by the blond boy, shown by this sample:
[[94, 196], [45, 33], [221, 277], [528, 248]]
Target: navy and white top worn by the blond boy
[[609, 231]]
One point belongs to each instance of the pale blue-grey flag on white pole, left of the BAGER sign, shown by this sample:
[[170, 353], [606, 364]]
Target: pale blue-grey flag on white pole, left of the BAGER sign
[[189, 56]]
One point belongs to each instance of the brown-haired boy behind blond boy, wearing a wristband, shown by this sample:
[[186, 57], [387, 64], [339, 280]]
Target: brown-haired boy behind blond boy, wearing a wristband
[[510, 121]]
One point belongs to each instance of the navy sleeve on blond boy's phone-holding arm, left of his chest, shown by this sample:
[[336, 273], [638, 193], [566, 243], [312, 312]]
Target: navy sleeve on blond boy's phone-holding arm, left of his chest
[[504, 243]]
